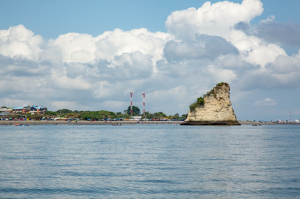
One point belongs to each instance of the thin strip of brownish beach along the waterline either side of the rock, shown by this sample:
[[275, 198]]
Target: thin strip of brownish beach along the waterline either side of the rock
[[82, 122]]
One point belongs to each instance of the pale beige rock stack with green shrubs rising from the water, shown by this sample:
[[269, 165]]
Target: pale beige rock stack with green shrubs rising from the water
[[216, 109]]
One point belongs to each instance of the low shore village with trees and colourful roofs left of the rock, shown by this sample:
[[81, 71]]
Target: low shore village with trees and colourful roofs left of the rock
[[37, 113]]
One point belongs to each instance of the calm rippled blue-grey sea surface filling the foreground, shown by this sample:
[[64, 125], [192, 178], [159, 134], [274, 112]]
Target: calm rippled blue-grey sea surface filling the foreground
[[149, 161]]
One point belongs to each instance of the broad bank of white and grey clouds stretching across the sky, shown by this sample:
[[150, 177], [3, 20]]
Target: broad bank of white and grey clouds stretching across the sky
[[202, 47]]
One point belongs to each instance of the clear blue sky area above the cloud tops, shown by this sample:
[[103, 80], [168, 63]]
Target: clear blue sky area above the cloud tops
[[53, 18]]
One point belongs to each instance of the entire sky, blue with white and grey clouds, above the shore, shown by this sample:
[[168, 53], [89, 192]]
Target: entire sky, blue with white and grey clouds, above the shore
[[89, 55]]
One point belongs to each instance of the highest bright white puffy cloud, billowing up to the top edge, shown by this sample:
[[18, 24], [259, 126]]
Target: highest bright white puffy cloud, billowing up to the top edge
[[212, 19]]
